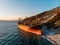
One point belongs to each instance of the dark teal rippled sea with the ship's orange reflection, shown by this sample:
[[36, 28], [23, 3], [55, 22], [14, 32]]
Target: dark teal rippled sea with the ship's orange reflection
[[11, 35]]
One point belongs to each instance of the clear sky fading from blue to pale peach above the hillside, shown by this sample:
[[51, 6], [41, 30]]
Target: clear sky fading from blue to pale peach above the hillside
[[12, 9]]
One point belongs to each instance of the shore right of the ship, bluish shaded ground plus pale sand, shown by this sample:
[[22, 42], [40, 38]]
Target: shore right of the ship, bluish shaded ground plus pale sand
[[53, 35]]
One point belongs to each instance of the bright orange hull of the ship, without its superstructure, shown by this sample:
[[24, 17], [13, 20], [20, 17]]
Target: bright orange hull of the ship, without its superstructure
[[29, 30]]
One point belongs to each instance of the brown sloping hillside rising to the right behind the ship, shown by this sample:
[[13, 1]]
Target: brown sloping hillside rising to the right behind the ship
[[49, 18]]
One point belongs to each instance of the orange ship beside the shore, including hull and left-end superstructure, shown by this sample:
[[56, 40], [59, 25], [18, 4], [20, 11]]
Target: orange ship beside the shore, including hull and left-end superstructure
[[25, 27]]
